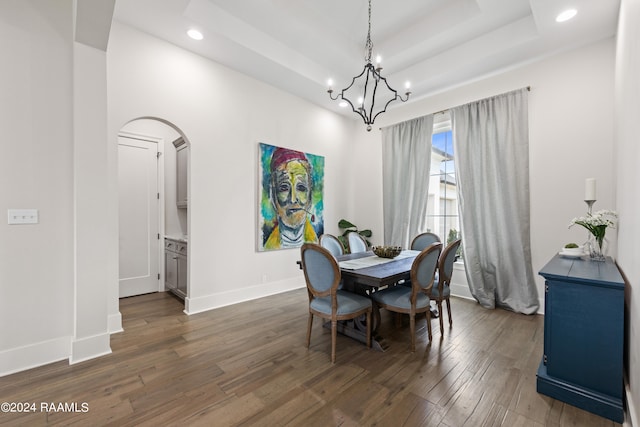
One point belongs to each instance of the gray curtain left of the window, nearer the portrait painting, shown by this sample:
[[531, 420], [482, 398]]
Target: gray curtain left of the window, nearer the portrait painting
[[406, 159]]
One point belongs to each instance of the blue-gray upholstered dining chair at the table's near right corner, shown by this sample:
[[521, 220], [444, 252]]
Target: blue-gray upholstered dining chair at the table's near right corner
[[415, 299]]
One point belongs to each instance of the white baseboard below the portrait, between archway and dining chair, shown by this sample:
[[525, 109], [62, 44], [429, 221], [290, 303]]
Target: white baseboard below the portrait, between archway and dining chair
[[222, 299]]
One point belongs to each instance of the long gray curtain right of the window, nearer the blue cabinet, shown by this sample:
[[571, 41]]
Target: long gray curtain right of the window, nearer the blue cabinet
[[491, 145]]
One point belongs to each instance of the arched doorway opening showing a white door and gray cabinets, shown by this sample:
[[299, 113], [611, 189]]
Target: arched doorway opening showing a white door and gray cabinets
[[148, 163]]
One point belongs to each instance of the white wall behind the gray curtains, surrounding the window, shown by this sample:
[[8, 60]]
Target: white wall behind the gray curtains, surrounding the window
[[571, 138]]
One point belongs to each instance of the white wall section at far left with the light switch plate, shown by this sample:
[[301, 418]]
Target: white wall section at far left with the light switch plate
[[36, 171]]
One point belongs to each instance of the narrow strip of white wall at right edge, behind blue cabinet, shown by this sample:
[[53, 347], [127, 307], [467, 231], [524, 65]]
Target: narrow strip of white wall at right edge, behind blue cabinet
[[627, 129]]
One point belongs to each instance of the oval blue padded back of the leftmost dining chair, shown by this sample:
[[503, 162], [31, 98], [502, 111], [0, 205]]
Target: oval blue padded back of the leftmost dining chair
[[321, 271]]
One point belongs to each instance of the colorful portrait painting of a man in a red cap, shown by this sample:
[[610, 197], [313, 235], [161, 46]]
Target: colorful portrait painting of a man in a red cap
[[291, 198]]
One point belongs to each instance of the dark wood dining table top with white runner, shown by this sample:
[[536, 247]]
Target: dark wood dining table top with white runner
[[378, 275]]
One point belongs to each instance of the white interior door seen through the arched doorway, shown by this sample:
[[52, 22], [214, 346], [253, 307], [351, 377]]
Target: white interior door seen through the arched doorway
[[138, 213]]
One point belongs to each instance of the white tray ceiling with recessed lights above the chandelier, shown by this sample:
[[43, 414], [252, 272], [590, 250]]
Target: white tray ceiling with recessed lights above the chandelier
[[297, 45]]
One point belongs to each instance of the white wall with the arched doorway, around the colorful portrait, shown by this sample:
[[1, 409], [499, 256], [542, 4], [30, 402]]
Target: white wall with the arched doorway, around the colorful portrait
[[224, 115]]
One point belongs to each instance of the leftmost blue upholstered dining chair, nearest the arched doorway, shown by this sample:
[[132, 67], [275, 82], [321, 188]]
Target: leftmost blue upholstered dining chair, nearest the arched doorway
[[322, 274]]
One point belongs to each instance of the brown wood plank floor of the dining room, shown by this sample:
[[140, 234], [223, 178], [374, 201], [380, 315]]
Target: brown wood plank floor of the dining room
[[247, 365]]
